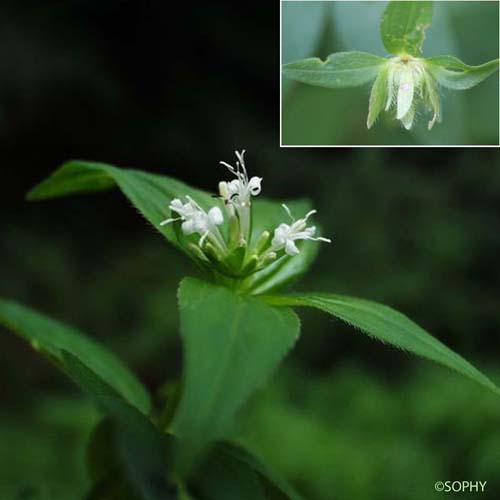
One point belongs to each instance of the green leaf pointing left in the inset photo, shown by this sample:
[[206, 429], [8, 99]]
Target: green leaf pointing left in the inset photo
[[343, 69]]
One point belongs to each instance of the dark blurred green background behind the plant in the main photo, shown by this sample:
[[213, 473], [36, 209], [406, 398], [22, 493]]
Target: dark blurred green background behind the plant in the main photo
[[345, 417]]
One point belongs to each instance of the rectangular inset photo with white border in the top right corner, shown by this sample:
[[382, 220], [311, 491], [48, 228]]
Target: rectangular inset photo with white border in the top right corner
[[396, 73]]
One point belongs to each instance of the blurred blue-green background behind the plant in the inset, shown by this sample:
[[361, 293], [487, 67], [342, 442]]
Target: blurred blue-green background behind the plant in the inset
[[318, 116]]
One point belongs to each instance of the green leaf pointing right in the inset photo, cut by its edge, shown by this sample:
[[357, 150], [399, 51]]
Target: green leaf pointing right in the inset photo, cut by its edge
[[454, 74]]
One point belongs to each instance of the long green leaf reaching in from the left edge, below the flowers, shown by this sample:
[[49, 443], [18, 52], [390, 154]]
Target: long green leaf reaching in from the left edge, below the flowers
[[51, 337]]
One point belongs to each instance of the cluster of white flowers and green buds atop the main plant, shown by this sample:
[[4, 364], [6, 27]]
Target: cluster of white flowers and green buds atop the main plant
[[232, 252]]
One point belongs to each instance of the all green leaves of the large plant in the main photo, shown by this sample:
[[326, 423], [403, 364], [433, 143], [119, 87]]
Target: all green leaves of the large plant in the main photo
[[234, 334]]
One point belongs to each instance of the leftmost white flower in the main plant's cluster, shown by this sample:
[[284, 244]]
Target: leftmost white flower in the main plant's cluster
[[196, 220]]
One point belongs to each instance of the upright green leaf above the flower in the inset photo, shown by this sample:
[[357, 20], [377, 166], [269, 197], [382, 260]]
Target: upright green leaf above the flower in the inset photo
[[403, 27]]
